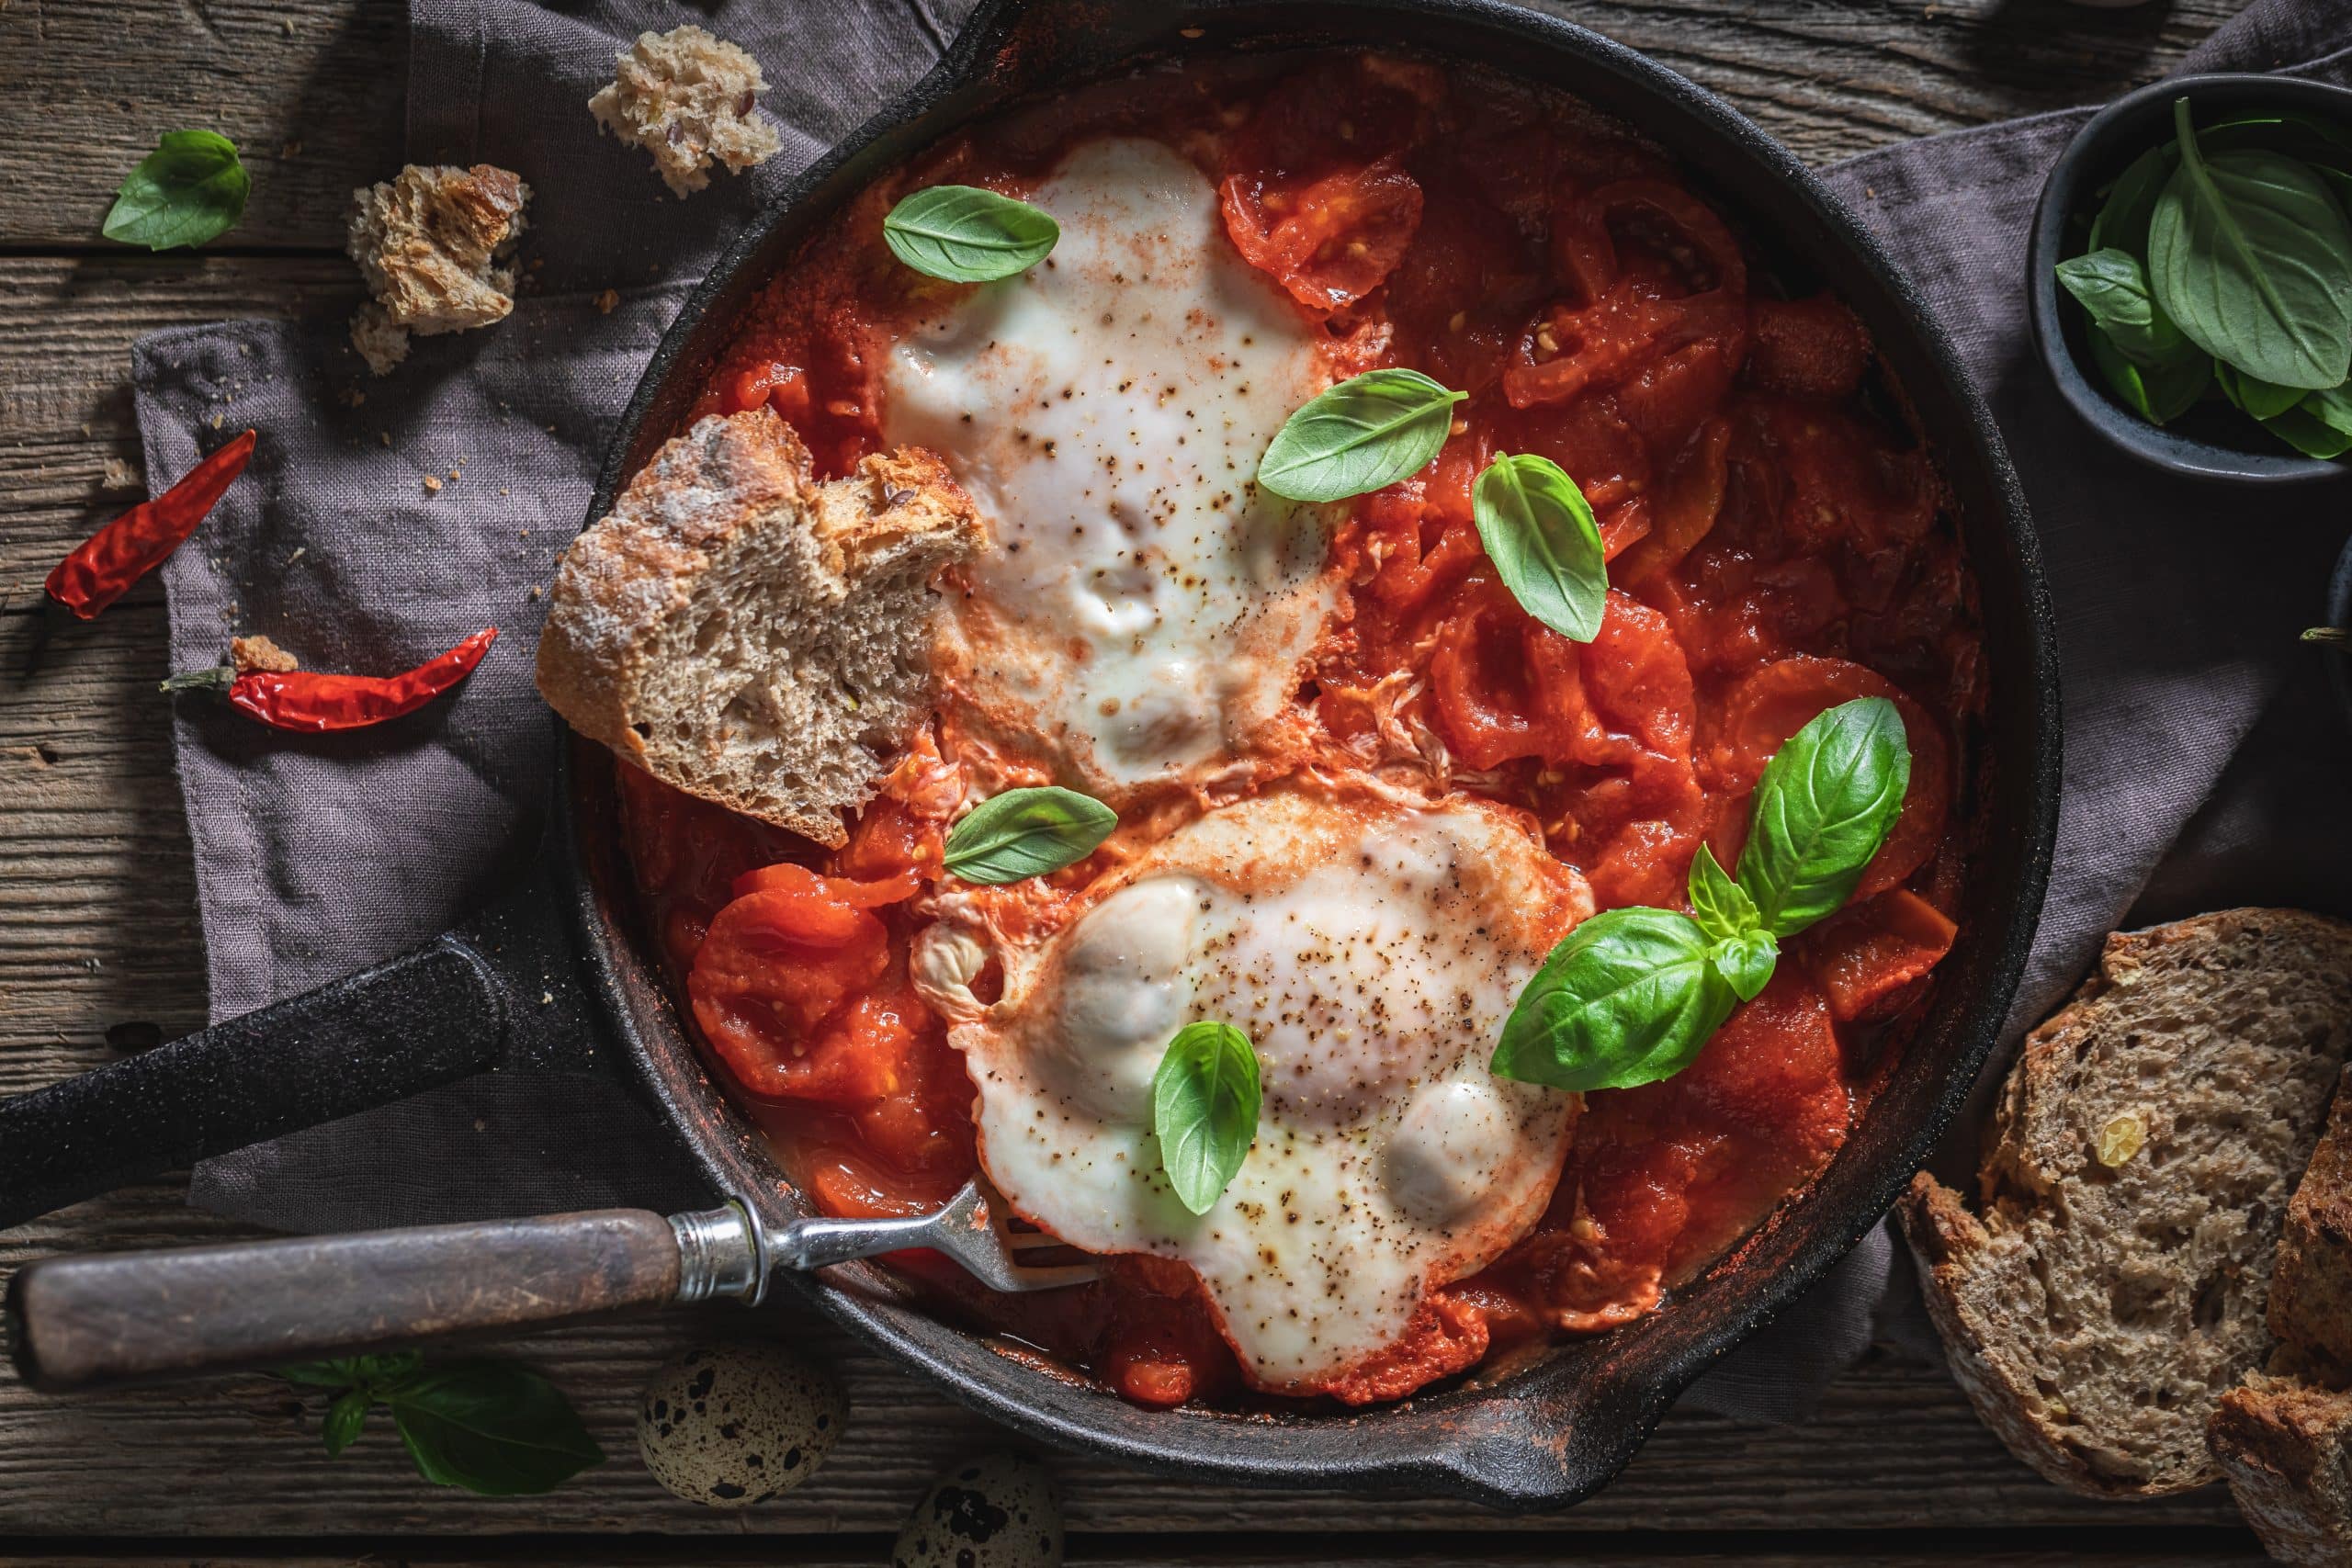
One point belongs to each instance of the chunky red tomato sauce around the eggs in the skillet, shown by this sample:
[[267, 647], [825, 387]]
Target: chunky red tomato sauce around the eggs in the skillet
[[1777, 547]]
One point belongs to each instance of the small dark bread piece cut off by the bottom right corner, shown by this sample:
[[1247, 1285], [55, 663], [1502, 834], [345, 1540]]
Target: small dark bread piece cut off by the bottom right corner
[[2287, 1449]]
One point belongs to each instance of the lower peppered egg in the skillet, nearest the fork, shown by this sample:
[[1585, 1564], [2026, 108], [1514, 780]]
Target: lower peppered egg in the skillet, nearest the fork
[[1370, 949]]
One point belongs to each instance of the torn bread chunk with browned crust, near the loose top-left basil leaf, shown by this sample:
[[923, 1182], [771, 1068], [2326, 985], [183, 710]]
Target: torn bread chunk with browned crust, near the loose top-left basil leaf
[[432, 246]]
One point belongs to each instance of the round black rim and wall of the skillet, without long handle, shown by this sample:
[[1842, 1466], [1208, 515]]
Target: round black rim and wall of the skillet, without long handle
[[1509, 1440]]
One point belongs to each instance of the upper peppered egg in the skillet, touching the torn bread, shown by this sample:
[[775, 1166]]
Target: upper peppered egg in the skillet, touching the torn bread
[[1142, 608]]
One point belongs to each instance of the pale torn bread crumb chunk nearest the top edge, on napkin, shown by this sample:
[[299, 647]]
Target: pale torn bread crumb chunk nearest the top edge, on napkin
[[690, 100]]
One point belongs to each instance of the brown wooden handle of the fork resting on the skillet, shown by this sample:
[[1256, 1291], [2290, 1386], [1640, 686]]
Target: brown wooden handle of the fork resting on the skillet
[[128, 1318]]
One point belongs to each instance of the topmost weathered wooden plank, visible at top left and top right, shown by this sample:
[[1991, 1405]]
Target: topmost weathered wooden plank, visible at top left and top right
[[312, 91]]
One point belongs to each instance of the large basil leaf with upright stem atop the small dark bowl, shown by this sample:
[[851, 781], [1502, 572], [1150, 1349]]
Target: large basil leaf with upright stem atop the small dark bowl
[[2252, 260]]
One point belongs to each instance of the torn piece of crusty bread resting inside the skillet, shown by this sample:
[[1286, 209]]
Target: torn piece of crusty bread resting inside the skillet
[[754, 636]]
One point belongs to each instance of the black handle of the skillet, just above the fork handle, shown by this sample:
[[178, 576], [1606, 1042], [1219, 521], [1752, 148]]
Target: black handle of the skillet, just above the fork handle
[[497, 993]]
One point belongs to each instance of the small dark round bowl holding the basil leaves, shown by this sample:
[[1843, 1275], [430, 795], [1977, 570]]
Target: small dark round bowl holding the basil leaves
[[2212, 441]]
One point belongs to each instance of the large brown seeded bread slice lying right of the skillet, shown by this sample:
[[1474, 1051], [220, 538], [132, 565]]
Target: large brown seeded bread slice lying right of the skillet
[[2144, 1155]]
